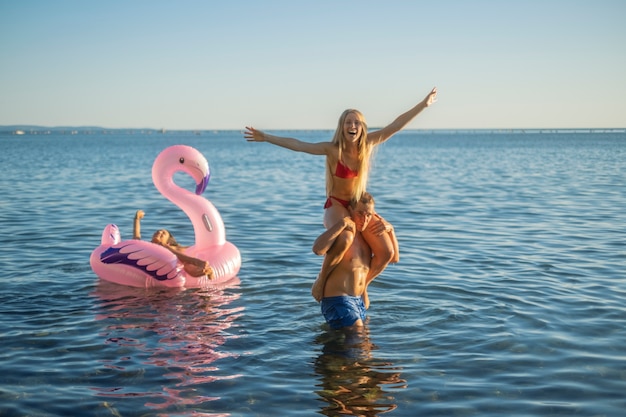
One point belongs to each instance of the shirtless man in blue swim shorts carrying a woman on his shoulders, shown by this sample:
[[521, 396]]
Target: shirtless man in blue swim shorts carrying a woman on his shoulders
[[342, 288]]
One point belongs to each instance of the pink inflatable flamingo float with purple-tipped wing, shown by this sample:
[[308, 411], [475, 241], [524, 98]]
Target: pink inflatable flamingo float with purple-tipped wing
[[138, 263]]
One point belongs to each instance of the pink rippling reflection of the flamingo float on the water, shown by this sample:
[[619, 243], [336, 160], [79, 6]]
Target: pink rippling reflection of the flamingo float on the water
[[166, 339]]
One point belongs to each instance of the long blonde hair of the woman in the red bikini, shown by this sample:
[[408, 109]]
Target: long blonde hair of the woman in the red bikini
[[364, 150]]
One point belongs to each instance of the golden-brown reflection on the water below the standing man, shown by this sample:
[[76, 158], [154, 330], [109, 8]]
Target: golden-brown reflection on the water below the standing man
[[352, 378]]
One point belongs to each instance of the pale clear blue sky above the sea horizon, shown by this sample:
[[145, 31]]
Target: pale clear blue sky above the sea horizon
[[298, 64]]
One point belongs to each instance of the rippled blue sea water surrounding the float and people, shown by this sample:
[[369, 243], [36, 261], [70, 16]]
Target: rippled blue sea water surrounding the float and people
[[509, 298]]
